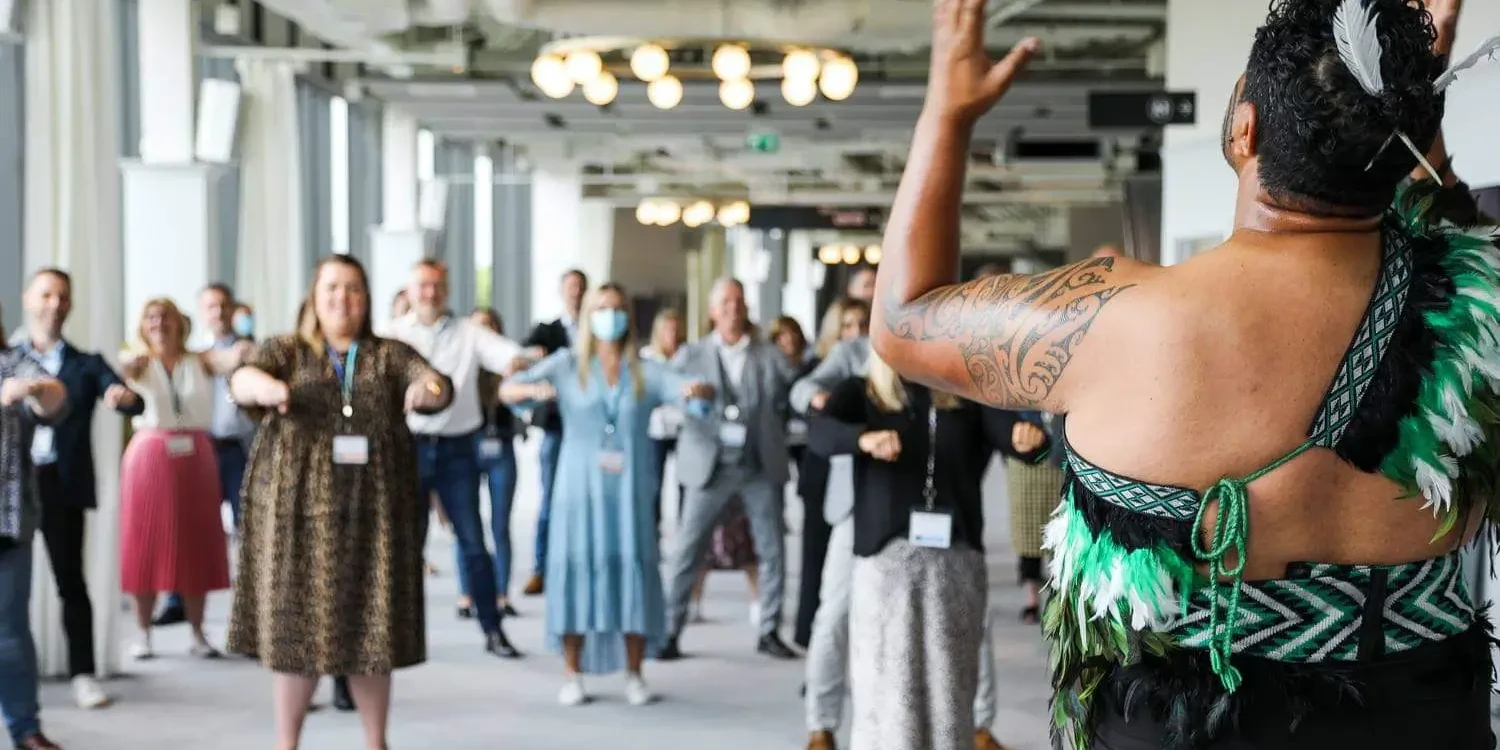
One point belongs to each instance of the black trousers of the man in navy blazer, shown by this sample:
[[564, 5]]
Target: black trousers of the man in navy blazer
[[64, 532]]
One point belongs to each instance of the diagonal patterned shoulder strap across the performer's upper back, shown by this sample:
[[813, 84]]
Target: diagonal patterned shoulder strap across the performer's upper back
[[1369, 347]]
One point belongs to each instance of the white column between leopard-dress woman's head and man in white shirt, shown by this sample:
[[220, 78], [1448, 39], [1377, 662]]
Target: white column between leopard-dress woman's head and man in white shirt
[[398, 244]]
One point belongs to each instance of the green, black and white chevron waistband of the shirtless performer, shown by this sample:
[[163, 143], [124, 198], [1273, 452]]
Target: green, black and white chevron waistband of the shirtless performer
[[1319, 619]]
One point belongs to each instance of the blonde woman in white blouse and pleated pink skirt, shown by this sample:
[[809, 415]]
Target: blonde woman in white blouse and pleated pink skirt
[[172, 533]]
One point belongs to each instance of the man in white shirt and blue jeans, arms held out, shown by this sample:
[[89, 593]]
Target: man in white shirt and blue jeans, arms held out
[[448, 443]]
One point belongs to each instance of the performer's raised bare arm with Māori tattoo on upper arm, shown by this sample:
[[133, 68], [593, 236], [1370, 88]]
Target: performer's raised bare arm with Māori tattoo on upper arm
[[1003, 341]]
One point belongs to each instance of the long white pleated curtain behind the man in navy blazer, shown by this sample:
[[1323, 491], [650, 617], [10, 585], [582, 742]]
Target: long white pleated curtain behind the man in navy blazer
[[73, 221]]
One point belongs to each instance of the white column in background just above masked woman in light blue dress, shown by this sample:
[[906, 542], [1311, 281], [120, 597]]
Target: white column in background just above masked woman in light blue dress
[[568, 232]]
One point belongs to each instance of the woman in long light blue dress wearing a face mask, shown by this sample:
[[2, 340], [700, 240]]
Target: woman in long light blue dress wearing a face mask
[[605, 604]]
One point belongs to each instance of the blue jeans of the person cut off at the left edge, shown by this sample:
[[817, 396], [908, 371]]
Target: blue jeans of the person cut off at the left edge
[[17, 650]]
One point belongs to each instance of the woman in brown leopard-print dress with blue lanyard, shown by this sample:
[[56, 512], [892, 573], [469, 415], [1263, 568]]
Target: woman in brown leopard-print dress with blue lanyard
[[331, 557]]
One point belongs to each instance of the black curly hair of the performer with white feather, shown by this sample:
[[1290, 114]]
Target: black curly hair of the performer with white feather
[[1318, 128]]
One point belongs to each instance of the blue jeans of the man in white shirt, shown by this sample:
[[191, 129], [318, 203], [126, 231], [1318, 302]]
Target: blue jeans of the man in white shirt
[[451, 469]]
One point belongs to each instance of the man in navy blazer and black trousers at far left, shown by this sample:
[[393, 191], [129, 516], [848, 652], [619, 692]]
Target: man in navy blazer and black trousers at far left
[[64, 460]]
